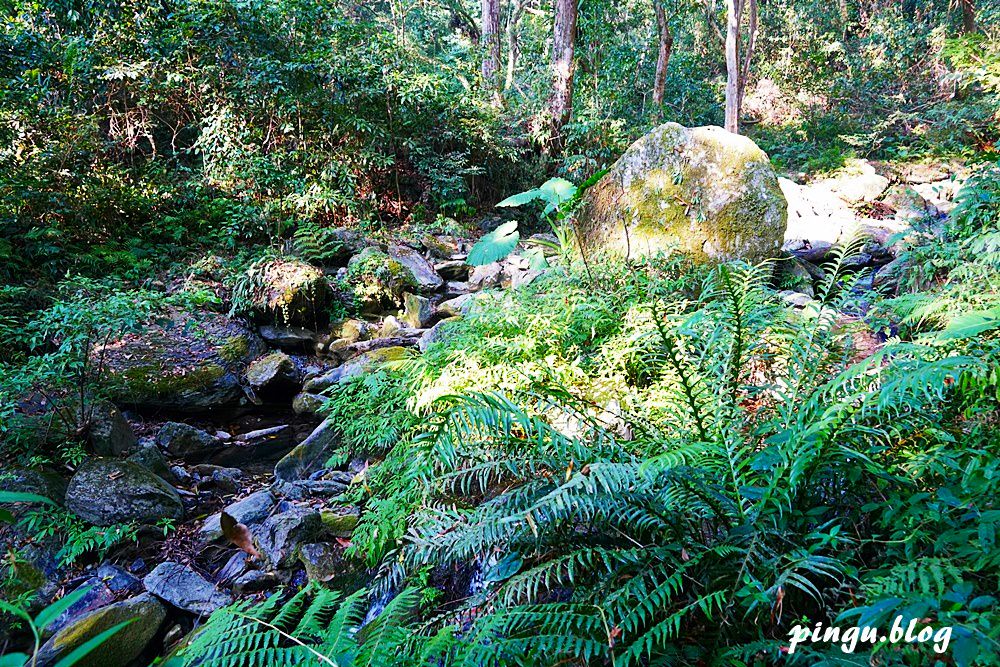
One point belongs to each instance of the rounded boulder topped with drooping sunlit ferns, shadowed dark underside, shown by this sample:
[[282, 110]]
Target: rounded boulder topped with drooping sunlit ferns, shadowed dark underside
[[289, 292]]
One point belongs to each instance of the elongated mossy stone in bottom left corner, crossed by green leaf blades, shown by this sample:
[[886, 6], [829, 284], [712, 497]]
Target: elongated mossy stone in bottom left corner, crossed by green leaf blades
[[124, 648]]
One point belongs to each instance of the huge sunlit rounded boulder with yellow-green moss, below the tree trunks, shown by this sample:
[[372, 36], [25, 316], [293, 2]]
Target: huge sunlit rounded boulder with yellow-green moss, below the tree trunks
[[703, 191]]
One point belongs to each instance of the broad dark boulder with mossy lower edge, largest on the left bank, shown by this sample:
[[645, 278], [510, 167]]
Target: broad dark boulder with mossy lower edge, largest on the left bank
[[187, 363]]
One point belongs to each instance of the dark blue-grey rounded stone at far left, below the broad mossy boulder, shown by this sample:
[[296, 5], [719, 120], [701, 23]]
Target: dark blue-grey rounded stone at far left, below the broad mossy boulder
[[107, 491]]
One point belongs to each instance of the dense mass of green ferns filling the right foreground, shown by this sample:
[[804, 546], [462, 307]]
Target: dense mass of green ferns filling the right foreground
[[676, 468]]
